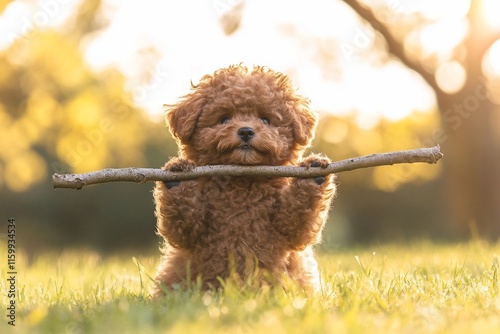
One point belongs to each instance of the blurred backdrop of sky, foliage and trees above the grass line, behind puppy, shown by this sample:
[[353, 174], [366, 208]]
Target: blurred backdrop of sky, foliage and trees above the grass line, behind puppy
[[82, 84]]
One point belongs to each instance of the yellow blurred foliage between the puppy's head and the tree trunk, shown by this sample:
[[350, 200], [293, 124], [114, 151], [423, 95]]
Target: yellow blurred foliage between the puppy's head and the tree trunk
[[341, 138]]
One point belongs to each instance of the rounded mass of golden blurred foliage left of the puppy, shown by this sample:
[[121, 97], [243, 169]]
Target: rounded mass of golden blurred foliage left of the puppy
[[51, 101]]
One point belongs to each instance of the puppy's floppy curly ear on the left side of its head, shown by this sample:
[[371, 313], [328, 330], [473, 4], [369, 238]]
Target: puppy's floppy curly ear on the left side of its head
[[182, 117]]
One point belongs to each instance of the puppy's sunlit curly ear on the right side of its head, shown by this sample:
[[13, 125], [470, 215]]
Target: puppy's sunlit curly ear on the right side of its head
[[304, 123]]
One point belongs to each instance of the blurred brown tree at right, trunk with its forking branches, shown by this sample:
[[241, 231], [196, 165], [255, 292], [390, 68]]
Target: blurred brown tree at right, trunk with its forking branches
[[471, 139]]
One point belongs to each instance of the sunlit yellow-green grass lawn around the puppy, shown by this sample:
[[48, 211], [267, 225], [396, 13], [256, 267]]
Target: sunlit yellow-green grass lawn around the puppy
[[417, 288]]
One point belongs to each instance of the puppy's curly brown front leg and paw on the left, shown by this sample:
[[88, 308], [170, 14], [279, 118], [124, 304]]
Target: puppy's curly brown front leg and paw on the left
[[177, 207]]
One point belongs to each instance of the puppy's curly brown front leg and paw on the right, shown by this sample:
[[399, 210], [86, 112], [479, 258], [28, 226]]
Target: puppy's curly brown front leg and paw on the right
[[306, 203]]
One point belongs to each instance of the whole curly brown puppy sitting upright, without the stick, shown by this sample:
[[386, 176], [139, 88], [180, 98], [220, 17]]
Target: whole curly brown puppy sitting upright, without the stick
[[249, 228]]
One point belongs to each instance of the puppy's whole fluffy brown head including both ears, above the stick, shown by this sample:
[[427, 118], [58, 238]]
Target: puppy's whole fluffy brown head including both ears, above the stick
[[243, 118]]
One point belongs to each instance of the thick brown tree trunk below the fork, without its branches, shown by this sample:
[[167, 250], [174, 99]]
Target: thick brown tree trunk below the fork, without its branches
[[472, 161]]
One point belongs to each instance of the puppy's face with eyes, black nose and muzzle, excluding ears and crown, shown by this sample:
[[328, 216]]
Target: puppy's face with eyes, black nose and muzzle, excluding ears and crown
[[242, 136]]
